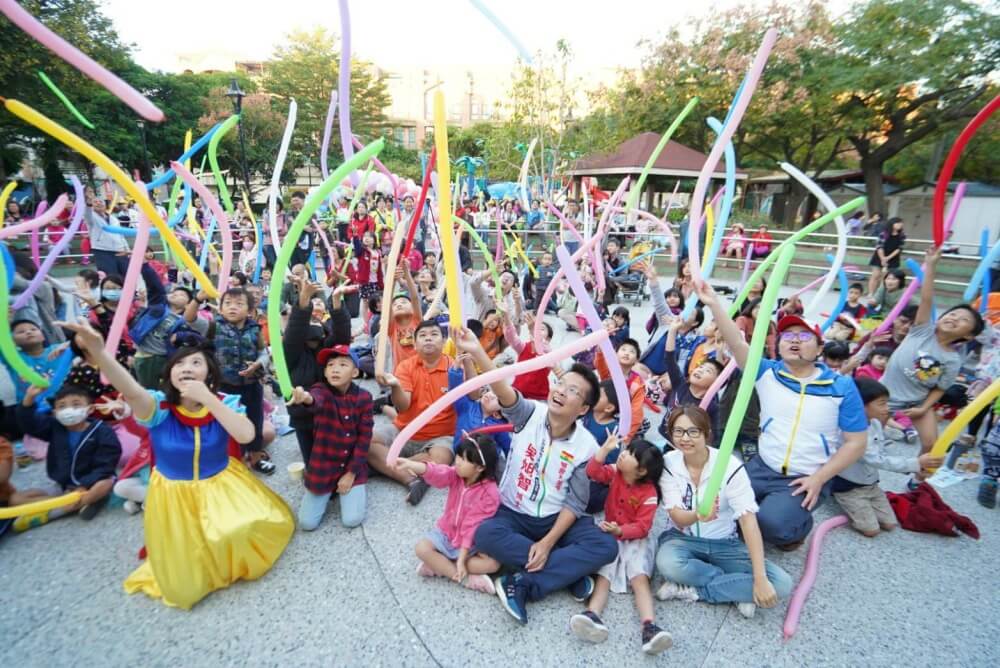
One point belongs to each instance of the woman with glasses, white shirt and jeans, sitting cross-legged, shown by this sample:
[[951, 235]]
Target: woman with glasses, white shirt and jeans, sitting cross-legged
[[702, 556]]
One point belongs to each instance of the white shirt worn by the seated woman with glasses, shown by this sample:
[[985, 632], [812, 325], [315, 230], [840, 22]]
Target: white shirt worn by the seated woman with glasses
[[736, 495]]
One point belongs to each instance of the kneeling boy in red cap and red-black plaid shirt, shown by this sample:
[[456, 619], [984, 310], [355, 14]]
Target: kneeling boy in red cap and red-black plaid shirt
[[342, 432]]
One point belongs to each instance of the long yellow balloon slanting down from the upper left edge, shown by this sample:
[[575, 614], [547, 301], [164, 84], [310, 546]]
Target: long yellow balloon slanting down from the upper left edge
[[50, 127]]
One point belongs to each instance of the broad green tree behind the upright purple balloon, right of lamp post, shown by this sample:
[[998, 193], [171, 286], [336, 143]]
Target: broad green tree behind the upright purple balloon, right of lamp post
[[306, 67]]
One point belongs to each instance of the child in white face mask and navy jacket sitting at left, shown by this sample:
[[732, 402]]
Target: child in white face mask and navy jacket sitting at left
[[83, 453]]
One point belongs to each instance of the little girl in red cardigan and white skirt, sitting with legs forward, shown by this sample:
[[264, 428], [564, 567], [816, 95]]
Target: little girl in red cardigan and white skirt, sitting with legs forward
[[628, 514]]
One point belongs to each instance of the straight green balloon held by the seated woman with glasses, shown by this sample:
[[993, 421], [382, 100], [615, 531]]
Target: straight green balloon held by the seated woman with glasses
[[767, 304]]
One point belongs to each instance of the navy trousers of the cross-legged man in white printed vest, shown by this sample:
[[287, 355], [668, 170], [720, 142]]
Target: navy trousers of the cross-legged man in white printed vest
[[582, 550]]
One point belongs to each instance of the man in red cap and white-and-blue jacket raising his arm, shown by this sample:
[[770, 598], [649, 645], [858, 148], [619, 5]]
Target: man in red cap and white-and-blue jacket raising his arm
[[812, 425]]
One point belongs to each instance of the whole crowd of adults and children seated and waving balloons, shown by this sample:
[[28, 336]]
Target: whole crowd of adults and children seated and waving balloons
[[544, 492]]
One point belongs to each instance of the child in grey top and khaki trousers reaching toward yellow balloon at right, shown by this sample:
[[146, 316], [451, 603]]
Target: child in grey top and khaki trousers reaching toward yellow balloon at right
[[856, 488]]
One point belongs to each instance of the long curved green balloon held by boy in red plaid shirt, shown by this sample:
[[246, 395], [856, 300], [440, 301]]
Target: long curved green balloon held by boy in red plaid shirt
[[285, 255]]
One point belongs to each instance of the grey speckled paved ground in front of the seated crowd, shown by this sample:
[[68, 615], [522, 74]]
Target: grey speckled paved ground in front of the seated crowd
[[350, 597]]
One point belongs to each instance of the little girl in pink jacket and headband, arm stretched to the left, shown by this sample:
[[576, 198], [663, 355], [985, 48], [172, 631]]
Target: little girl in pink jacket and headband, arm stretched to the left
[[448, 550]]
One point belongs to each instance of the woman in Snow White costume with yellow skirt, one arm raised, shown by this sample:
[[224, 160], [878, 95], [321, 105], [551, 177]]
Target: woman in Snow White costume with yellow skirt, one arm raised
[[208, 522]]
